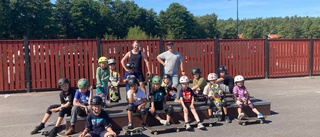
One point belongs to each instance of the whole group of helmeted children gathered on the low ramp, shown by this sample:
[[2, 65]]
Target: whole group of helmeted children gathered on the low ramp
[[82, 102]]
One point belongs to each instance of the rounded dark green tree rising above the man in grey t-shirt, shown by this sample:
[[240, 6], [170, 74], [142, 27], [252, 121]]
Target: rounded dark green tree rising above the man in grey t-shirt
[[177, 22]]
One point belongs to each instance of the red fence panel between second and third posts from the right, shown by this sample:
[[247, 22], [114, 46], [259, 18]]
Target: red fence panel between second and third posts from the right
[[243, 57]]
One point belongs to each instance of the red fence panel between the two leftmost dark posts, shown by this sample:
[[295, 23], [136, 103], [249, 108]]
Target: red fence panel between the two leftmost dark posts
[[53, 59]]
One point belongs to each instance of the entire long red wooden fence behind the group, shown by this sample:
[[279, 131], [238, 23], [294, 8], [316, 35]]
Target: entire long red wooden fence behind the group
[[75, 59]]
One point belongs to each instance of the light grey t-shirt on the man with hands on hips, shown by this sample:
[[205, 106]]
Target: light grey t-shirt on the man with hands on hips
[[172, 60]]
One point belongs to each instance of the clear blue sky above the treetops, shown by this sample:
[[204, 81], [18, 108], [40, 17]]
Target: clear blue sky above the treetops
[[247, 8]]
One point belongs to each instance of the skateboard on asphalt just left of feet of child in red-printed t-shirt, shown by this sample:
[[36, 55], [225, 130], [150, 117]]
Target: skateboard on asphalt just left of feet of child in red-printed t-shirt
[[154, 129]]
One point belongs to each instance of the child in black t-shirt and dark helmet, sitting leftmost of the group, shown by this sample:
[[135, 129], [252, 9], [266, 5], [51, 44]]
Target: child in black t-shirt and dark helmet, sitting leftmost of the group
[[66, 100]]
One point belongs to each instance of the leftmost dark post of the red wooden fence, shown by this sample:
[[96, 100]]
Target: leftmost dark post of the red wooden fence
[[27, 68]]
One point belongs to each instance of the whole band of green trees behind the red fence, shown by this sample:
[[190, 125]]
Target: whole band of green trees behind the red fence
[[117, 19]]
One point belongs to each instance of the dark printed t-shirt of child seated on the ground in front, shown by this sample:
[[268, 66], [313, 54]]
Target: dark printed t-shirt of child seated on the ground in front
[[97, 124]]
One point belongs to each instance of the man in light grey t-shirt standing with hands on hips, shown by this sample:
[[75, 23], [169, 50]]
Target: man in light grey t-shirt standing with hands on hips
[[171, 65]]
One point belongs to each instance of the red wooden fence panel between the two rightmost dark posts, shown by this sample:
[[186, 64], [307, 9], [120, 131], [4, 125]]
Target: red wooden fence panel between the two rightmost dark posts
[[289, 57]]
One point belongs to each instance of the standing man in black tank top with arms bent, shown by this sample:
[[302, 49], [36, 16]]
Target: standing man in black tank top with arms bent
[[136, 56]]
